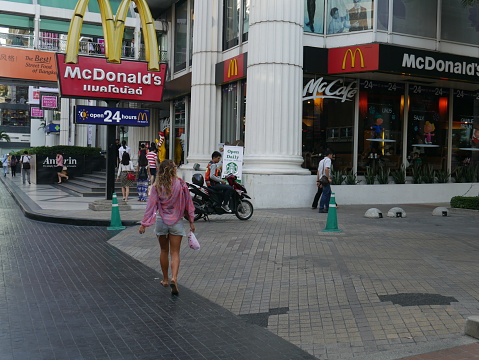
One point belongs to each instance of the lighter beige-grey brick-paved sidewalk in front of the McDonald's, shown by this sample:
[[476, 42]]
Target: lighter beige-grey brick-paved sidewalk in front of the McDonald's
[[381, 289]]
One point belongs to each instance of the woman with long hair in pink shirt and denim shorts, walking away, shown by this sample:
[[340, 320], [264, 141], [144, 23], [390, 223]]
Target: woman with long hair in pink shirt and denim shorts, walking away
[[171, 198]]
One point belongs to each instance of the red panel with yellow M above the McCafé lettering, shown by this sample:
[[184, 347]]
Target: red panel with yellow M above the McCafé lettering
[[353, 59]]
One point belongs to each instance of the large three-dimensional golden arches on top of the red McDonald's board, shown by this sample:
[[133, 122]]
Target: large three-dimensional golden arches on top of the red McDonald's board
[[113, 29]]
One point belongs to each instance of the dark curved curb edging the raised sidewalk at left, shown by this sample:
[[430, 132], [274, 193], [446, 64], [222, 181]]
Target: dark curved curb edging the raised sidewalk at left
[[30, 213]]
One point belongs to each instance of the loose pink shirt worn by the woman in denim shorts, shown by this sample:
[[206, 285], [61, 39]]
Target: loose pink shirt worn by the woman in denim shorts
[[170, 208]]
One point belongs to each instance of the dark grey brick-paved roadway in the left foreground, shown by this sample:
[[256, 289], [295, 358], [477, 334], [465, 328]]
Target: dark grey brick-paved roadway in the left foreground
[[66, 293]]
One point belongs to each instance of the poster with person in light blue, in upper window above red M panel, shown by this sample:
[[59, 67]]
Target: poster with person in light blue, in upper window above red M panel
[[349, 15]]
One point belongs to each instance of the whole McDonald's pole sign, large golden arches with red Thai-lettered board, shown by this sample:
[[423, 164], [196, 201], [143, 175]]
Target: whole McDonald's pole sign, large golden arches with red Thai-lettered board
[[95, 77]]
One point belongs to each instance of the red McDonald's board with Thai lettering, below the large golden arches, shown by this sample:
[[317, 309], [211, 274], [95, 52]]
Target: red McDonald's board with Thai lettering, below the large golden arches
[[94, 77]]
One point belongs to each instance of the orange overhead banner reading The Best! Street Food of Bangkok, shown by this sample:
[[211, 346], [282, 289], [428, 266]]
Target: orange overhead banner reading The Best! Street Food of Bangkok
[[27, 64]]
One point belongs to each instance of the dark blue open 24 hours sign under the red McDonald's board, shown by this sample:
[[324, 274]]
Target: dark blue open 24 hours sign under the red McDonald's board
[[111, 116]]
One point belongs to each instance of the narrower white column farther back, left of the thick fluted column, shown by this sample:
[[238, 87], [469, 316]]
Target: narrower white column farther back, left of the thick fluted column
[[205, 119]]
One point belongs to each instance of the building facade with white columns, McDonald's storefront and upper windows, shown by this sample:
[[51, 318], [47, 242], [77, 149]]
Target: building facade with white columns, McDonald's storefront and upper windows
[[381, 83]]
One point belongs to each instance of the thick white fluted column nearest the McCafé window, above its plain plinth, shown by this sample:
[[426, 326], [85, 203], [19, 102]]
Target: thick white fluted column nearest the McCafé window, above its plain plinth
[[273, 101]]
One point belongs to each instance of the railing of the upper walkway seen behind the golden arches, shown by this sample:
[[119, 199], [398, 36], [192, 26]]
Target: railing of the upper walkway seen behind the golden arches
[[59, 45]]
